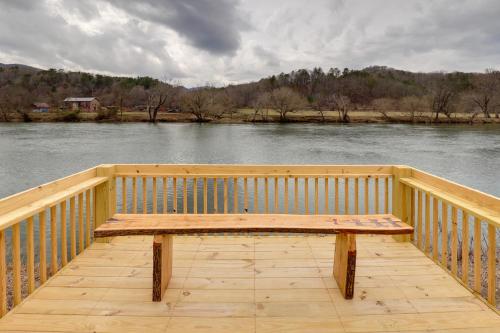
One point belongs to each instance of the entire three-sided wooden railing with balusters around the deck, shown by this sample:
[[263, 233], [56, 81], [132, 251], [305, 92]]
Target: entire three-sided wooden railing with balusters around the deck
[[44, 228]]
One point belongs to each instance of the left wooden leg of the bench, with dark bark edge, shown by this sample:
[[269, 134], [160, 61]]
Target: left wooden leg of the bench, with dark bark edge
[[162, 264]]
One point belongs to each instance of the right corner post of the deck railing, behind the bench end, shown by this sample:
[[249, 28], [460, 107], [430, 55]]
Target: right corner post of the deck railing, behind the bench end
[[401, 198]]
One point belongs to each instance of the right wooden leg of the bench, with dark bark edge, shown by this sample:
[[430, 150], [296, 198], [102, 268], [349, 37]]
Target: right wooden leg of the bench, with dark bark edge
[[344, 264]]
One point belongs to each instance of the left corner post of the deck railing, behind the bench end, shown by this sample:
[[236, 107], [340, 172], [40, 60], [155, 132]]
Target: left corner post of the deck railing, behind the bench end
[[104, 196]]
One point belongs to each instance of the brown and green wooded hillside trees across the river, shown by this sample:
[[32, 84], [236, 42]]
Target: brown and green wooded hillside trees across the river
[[376, 88]]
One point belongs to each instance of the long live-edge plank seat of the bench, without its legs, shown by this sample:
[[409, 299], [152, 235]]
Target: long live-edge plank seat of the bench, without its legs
[[153, 224]]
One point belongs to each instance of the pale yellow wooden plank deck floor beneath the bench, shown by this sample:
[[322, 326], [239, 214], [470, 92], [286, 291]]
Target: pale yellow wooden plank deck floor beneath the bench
[[251, 284]]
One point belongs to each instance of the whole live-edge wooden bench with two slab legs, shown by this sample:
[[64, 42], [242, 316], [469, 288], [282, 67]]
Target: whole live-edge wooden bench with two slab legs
[[164, 226]]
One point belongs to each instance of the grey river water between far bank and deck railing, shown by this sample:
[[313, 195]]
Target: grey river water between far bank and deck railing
[[32, 154]]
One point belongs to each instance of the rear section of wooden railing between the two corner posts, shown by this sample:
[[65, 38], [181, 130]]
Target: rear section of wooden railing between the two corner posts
[[253, 189]]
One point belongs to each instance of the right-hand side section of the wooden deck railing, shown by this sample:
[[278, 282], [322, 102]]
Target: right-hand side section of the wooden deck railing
[[455, 226]]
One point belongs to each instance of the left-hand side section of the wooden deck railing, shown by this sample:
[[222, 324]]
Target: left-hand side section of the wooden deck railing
[[44, 228]]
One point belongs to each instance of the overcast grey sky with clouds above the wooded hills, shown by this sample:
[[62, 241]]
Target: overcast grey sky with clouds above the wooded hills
[[195, 42]]
